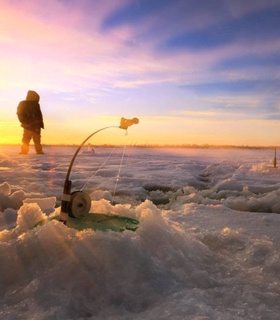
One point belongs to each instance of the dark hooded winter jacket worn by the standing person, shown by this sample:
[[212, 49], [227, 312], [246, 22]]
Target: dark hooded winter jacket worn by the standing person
[[29, 112]]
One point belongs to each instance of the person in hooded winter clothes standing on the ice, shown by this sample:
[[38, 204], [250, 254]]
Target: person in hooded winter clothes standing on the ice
[[31, 119]]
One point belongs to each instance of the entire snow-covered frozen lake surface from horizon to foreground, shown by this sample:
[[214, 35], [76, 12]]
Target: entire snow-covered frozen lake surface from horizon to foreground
[[207, 246]]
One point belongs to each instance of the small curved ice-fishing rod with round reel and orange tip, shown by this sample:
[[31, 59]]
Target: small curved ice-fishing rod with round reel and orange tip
[[77, 204]]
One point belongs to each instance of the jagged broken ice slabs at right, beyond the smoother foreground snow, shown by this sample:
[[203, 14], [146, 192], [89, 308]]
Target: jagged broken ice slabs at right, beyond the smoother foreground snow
[[243, 188]]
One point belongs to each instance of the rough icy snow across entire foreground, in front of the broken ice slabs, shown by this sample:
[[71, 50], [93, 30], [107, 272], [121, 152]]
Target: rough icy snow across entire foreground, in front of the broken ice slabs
[[174, 266]]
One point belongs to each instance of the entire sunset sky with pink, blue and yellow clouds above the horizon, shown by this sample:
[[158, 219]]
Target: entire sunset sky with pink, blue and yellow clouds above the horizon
[[192, 71]]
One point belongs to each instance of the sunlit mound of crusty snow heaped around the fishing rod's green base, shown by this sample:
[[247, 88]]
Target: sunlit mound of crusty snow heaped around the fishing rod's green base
[[84, 274]]
